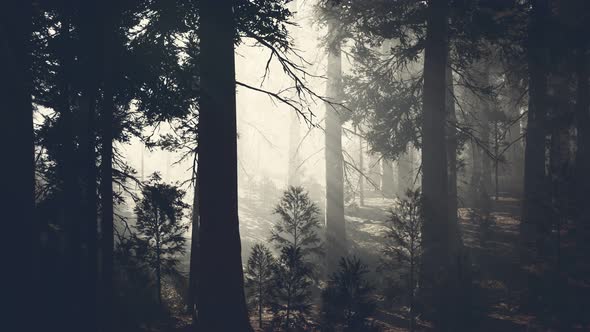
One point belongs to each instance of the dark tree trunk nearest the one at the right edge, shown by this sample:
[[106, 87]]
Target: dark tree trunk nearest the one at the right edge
[[534, 224]]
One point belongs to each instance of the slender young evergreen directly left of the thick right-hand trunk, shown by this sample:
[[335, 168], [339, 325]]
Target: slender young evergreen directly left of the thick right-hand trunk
[[403, 245]]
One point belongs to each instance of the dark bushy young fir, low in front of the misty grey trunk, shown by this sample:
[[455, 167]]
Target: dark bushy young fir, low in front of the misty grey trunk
[[347, 299]]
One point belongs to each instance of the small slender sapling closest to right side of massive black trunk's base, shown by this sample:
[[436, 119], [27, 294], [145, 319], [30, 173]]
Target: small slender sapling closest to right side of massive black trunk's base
[[259, 278]]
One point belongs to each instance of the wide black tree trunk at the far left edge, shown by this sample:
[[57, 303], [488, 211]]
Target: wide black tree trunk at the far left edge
[[18, 183]]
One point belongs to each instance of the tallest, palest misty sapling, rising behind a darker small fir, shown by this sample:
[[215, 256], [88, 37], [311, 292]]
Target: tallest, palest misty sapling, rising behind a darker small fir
[[299, 223]]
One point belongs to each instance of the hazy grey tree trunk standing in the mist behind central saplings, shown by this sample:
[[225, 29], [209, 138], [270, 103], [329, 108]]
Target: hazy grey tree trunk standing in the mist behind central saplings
[[335, 229]]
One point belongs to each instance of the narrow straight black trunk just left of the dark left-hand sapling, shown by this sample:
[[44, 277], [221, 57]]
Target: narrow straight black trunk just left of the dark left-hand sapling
[[109, 17]]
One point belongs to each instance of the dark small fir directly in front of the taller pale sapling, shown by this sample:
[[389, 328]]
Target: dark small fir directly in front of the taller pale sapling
[[291, 293]]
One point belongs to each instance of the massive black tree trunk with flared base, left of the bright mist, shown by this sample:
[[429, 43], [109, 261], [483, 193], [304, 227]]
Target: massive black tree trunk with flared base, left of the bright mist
[[221, 284]]
